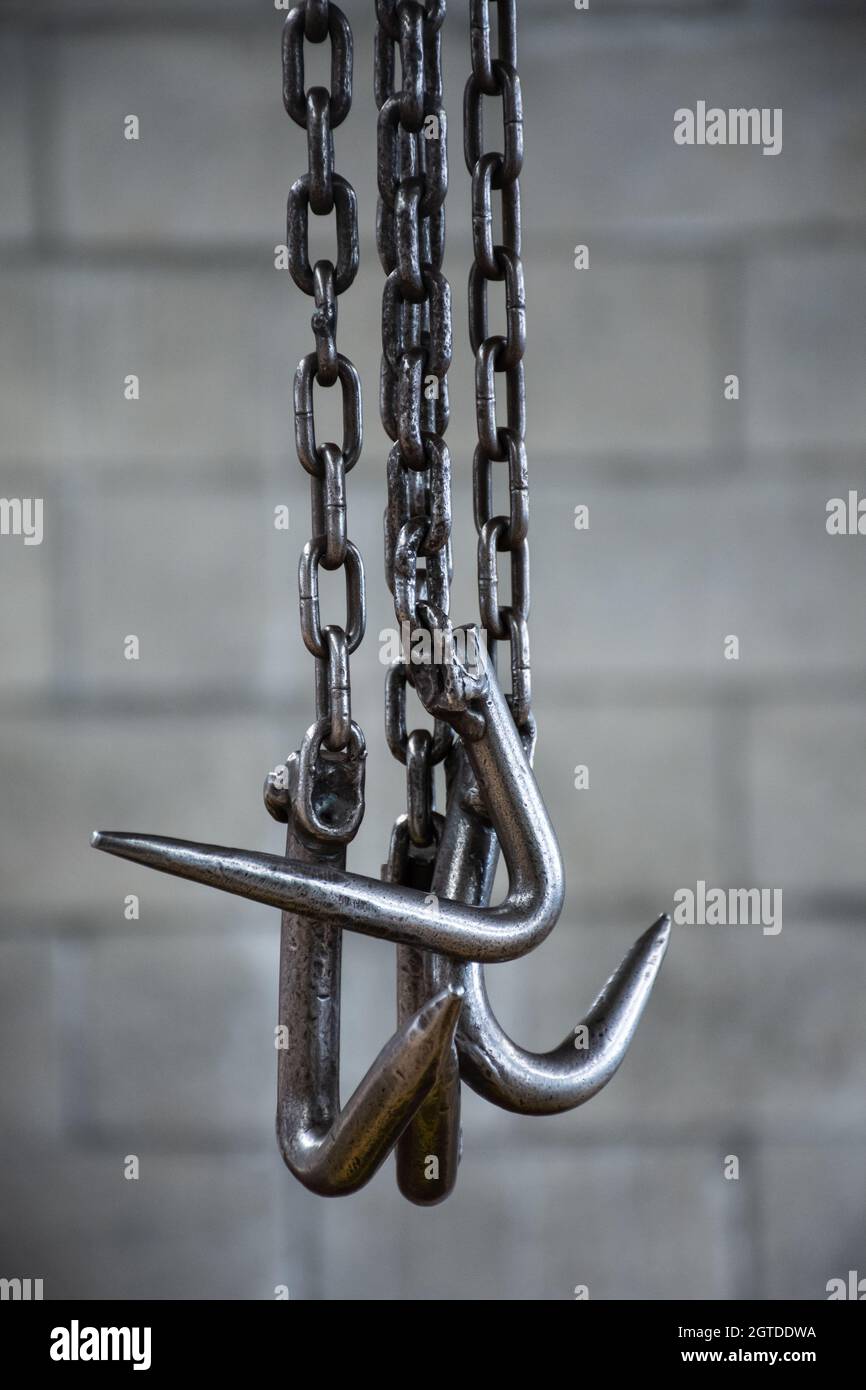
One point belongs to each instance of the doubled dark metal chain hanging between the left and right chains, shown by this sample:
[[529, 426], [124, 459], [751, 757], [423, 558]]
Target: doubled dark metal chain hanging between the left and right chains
[[414, 383]]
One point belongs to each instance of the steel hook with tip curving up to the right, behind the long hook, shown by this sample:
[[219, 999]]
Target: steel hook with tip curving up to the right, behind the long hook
[[537, 1084]]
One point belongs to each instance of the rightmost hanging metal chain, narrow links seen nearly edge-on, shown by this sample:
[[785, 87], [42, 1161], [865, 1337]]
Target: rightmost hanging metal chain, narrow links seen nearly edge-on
[[500, 355]]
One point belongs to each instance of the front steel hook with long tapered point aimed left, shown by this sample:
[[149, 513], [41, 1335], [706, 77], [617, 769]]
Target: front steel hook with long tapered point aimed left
[[475, 705]]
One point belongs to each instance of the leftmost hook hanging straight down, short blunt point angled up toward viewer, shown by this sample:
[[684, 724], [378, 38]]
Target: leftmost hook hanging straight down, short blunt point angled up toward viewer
[[329, 1150]]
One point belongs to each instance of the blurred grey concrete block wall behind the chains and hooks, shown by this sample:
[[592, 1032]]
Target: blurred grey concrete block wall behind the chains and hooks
[[155, 1038]]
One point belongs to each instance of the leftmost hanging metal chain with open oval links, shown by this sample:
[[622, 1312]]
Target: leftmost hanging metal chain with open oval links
[[334, 737]]
